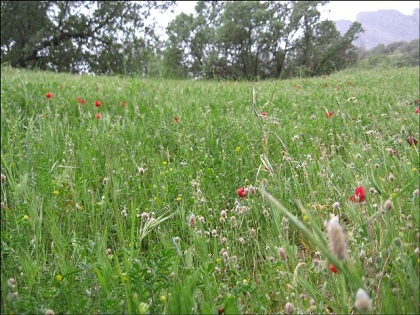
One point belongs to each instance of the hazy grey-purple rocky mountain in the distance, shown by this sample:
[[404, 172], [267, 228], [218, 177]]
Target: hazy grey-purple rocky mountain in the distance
[[383, 27]]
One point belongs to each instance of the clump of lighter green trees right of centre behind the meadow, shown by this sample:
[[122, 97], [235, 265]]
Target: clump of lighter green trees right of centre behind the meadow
[[258, 39]]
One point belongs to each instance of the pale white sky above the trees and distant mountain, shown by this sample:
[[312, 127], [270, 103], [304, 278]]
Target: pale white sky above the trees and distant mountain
[[340, 10]]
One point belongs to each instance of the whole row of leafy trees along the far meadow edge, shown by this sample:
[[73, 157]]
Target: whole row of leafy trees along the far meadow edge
[[220, 40]]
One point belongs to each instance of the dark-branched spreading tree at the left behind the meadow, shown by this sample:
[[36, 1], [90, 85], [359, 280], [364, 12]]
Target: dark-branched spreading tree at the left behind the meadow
[[99, 36]]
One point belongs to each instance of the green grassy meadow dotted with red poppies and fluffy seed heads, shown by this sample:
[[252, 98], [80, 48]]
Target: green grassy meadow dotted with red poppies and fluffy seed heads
[[142, 196]]
